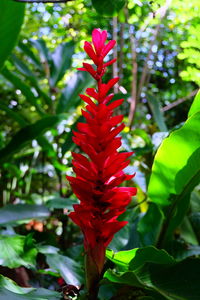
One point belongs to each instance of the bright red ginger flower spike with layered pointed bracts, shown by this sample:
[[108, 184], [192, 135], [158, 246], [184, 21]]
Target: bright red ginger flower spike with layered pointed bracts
[[99, 173]]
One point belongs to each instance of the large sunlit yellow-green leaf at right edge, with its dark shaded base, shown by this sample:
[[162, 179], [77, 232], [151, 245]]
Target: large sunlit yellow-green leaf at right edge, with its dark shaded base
[[174, 176]]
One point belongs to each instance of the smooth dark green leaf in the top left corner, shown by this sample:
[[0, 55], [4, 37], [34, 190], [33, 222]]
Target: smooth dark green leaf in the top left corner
[[11, 19]]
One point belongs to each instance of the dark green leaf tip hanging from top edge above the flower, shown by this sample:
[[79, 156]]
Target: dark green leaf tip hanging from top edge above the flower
[[108, 7]]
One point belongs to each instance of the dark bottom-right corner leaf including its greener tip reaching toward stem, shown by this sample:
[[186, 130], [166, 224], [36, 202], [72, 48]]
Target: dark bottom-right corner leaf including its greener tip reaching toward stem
[[173, 281]]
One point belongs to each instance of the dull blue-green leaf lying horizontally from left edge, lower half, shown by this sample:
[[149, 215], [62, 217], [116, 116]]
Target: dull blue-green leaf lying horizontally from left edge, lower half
[[13, 213]]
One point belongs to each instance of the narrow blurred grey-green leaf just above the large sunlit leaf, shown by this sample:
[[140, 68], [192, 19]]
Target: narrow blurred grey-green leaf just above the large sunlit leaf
[[157, 113]]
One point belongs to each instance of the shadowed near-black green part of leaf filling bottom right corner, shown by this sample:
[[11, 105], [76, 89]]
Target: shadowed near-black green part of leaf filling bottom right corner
[[178, 281]]
